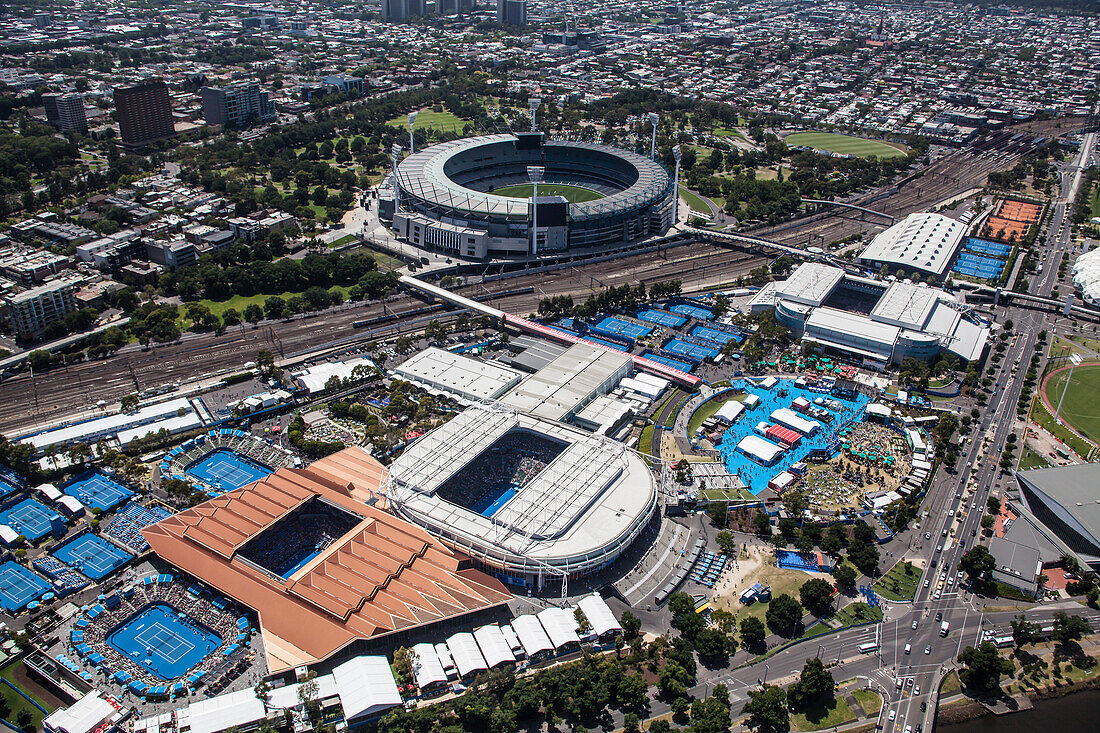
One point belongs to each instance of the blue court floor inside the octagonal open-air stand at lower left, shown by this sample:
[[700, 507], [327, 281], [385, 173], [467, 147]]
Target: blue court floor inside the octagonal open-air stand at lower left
[[164, 641]]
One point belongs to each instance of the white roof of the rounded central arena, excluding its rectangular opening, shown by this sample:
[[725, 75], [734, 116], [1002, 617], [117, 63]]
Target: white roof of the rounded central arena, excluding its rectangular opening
[[577, 512]]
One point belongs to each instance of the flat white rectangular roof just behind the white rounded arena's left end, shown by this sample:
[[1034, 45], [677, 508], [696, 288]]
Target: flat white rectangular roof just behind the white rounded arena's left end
[[460, 377]]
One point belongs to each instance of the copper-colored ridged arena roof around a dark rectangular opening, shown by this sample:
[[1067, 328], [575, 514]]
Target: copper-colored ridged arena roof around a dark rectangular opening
[[384, 576]]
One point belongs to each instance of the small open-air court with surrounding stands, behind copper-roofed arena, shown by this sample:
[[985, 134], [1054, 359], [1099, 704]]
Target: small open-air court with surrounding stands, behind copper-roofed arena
[[223, 461]]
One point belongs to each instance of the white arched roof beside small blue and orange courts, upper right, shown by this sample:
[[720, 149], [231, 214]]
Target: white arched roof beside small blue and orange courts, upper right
[[927, 243]]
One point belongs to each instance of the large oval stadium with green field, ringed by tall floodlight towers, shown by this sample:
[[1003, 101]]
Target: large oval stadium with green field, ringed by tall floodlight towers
[[472, 199]]
